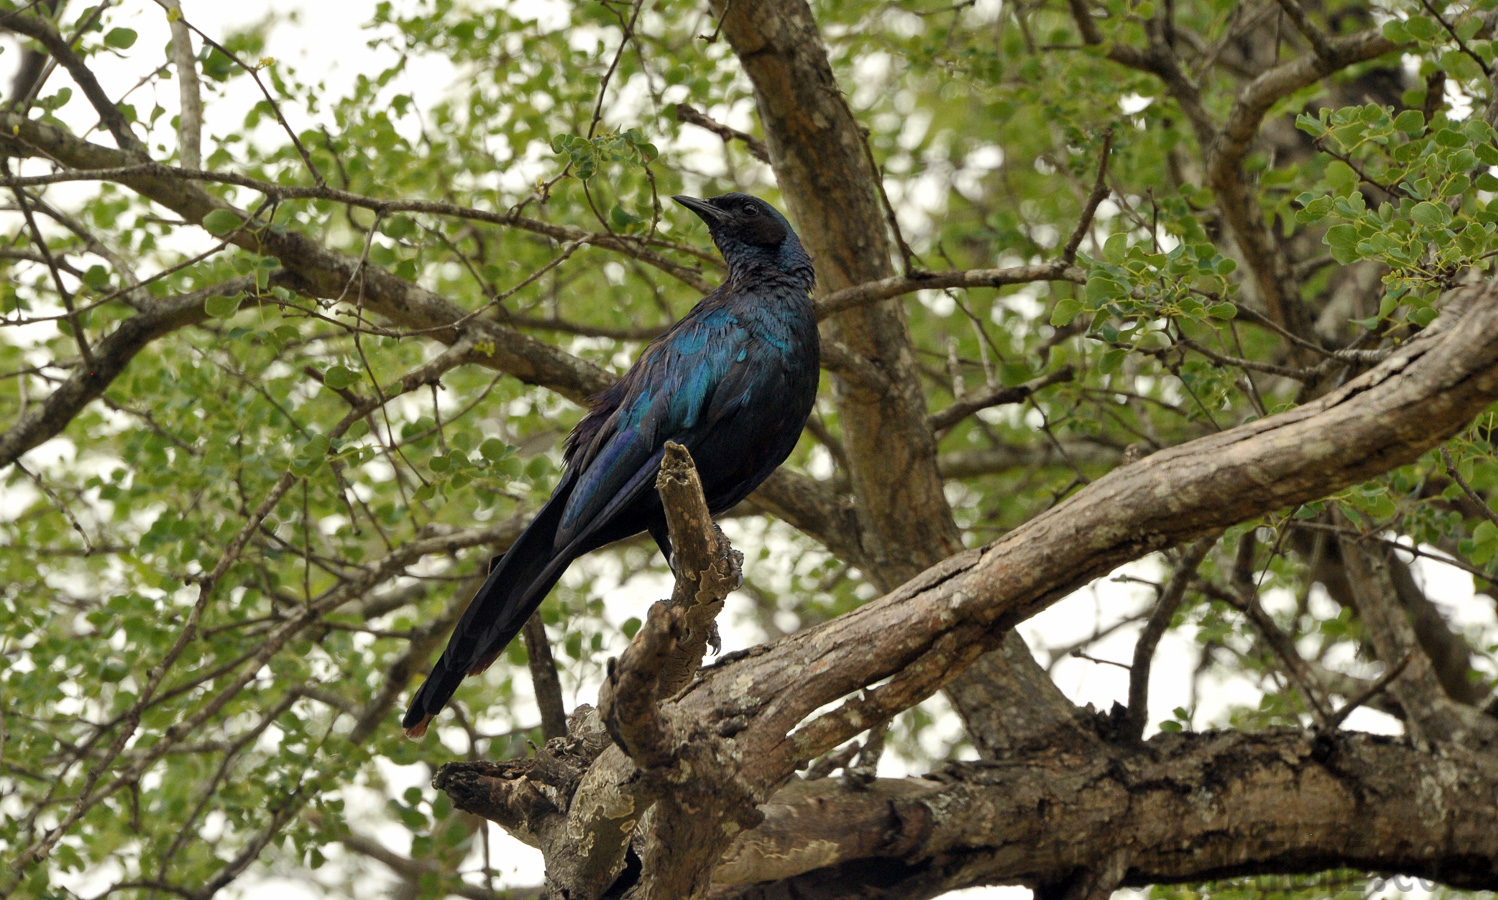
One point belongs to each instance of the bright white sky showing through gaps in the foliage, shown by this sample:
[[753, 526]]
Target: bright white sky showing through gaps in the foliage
[[326, 44]]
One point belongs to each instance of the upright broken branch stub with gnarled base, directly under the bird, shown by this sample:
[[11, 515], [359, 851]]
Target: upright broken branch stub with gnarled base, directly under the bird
[[594, 796]]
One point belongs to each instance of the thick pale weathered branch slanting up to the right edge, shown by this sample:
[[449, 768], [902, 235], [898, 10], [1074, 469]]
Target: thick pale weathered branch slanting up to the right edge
[[928, 631]]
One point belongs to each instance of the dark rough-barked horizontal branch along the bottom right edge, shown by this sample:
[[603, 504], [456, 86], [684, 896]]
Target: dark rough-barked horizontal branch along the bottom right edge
[[1186, 808]]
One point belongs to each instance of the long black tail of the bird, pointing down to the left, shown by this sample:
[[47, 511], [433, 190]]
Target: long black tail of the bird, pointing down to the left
[[516, 586]]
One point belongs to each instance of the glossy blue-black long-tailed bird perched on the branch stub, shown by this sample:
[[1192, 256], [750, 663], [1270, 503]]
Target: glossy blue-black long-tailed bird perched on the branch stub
[[733, 381]]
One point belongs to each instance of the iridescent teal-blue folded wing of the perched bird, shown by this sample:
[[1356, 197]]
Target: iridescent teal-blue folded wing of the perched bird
[[666, 396]]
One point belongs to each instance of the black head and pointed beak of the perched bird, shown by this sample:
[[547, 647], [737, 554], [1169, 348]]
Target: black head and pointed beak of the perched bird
[[753, 236]]
